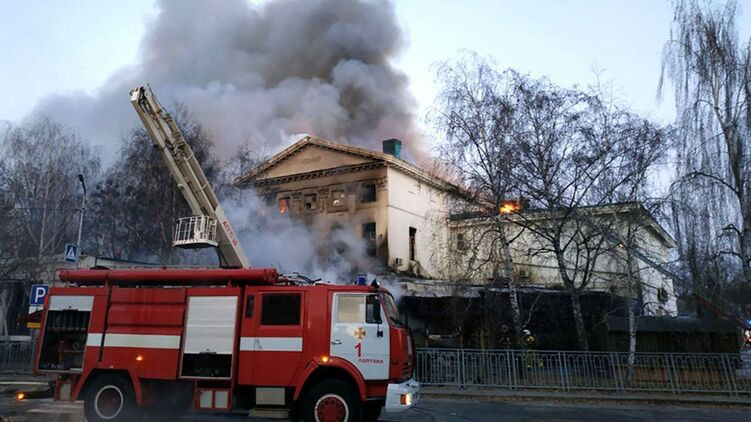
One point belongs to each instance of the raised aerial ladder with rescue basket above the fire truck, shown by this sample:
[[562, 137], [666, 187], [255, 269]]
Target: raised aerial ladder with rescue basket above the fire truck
[[208, 226]]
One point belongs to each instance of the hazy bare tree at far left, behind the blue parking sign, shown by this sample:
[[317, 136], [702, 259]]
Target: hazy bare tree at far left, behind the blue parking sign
[[38, 176]]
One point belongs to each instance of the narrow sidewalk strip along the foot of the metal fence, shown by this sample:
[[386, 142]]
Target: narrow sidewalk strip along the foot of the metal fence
[[662, 398]]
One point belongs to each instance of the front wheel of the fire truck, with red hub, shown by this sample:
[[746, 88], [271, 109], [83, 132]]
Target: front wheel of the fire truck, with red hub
[[331, 401]]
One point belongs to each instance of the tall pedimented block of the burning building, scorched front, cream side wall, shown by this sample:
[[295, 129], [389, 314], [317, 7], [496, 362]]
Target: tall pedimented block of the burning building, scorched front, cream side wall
[[398, 209]]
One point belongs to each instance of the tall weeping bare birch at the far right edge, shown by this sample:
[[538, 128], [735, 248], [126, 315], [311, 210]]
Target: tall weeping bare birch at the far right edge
[[711, 199]]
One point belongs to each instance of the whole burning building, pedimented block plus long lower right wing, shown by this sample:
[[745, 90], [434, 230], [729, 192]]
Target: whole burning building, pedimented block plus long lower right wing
[[408, 221]]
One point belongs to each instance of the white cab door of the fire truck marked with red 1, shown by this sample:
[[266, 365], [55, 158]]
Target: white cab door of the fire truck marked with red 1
[[360, 335]]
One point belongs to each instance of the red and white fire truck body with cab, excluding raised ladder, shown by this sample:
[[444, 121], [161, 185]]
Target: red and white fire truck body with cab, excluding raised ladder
[[129, 342]]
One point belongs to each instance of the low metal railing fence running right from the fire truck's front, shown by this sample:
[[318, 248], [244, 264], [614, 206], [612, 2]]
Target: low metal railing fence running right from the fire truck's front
[[675, 373]]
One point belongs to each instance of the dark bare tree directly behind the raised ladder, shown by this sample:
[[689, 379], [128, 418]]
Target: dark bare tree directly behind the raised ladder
[[137, 203]]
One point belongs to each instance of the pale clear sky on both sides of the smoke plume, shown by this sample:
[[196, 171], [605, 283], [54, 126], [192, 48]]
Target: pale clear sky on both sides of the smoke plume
[[57, 47]]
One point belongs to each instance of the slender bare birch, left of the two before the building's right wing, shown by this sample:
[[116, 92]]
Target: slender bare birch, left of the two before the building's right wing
[[476, 147]]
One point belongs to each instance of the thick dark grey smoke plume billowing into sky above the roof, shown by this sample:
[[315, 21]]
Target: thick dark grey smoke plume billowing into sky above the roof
[[262, 74]]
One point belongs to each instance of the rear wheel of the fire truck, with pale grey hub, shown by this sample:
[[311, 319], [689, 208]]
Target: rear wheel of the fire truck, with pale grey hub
[[110, 398]]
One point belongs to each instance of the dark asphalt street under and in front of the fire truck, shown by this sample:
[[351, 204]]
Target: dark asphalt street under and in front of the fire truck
[[435, 410]]
